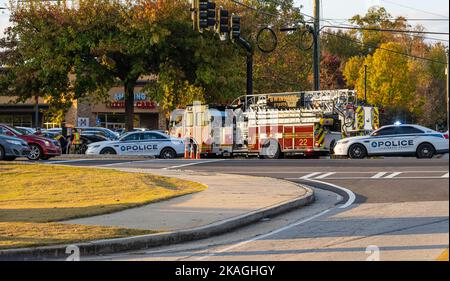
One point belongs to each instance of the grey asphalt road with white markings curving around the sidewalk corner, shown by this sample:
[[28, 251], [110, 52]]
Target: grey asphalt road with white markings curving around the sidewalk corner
[[399, 212]]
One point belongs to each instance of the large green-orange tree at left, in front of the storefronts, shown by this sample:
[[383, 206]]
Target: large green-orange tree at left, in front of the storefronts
[[76, 51]]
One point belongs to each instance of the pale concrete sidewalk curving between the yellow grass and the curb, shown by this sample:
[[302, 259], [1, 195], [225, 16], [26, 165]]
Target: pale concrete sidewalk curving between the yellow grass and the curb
[[227, 196]]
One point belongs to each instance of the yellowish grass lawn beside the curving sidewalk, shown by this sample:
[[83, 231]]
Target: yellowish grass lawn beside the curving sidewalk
[[33, 198]]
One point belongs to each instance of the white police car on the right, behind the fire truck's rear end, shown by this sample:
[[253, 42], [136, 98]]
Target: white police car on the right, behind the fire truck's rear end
[[395, 140]]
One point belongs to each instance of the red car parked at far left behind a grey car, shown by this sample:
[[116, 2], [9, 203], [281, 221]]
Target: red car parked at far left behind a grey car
[[40, 147]]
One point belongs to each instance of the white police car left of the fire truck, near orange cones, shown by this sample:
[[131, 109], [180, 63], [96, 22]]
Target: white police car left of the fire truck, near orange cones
[[149, 143]]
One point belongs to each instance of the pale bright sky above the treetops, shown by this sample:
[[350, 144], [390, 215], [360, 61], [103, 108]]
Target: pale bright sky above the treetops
[[344, 9]]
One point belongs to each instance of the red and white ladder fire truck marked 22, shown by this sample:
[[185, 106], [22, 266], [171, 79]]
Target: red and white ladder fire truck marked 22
[[274, 125]]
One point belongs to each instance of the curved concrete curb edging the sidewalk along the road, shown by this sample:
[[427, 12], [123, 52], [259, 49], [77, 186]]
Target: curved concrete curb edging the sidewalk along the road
[[154, 240]]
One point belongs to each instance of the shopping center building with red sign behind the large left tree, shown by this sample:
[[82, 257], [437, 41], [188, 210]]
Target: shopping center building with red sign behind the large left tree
[[109, 114]]
